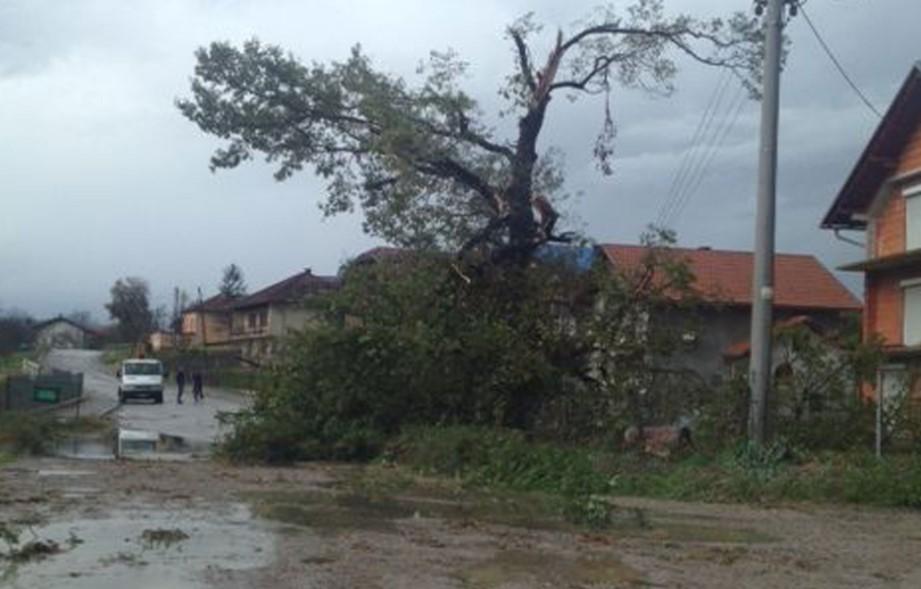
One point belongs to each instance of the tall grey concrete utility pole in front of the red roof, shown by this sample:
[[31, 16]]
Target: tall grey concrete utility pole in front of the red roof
[[763, 283]]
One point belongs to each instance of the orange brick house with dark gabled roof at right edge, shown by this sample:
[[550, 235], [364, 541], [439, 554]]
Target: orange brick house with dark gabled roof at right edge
[[882, 196]]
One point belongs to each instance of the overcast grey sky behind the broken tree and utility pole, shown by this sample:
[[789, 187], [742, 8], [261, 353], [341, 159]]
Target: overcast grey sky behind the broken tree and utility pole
[[101, 177]]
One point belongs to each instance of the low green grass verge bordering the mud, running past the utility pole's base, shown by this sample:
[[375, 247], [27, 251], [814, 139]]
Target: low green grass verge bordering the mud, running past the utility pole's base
[[584, 477]]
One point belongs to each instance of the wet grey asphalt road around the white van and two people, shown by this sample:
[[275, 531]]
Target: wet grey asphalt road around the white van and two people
[[197, 424]]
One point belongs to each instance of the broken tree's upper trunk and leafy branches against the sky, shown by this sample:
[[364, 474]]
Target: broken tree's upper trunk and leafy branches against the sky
[[421, 159]]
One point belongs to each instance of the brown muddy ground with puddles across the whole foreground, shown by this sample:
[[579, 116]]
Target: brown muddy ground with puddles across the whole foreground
[[203, 524]]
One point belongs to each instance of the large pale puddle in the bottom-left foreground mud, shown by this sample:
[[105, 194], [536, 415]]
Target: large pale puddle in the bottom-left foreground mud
[[117, 551]]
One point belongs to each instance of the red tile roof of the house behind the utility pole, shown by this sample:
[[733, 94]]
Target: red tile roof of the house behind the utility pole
[[800, 281]]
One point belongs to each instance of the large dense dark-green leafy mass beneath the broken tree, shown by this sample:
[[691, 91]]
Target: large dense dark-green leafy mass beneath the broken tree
[[417, 342]]
